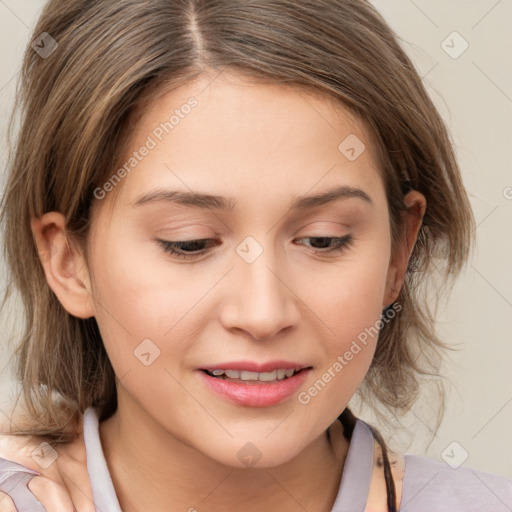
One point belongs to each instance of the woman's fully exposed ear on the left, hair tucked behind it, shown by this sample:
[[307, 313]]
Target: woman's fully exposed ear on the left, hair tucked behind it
[[65, 269]]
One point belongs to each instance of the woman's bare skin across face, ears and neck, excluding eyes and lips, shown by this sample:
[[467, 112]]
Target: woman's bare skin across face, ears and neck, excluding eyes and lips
[[172, 440]]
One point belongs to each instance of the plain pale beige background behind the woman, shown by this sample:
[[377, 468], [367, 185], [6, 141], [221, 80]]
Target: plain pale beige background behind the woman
[[474, 94]]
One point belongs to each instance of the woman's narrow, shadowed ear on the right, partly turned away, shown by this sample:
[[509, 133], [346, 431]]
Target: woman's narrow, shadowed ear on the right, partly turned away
[[416, 207]]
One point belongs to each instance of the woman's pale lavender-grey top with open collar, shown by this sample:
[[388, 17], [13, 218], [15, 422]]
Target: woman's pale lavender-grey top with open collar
[[427, 485]]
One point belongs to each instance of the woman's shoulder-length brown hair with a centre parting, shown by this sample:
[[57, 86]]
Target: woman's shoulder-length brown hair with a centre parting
[[80, 105]]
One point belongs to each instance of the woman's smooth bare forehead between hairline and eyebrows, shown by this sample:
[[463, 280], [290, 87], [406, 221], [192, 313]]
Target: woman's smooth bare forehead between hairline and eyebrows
[[231, 136]]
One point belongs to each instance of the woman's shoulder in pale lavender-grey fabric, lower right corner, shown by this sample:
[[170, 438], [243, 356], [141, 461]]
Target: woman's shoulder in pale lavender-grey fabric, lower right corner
[[429, 485]]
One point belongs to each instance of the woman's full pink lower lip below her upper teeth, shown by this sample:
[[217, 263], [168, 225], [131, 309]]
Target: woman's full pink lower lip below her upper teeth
[[256, 394]]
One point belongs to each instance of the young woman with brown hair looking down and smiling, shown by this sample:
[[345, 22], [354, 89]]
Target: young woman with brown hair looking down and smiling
[[220, 217]]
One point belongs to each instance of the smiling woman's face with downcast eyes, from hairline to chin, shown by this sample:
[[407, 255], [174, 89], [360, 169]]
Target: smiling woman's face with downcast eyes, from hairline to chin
[[271, 178]]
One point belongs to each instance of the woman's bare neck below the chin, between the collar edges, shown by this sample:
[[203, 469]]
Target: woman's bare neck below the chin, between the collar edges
[[151, 469]]
